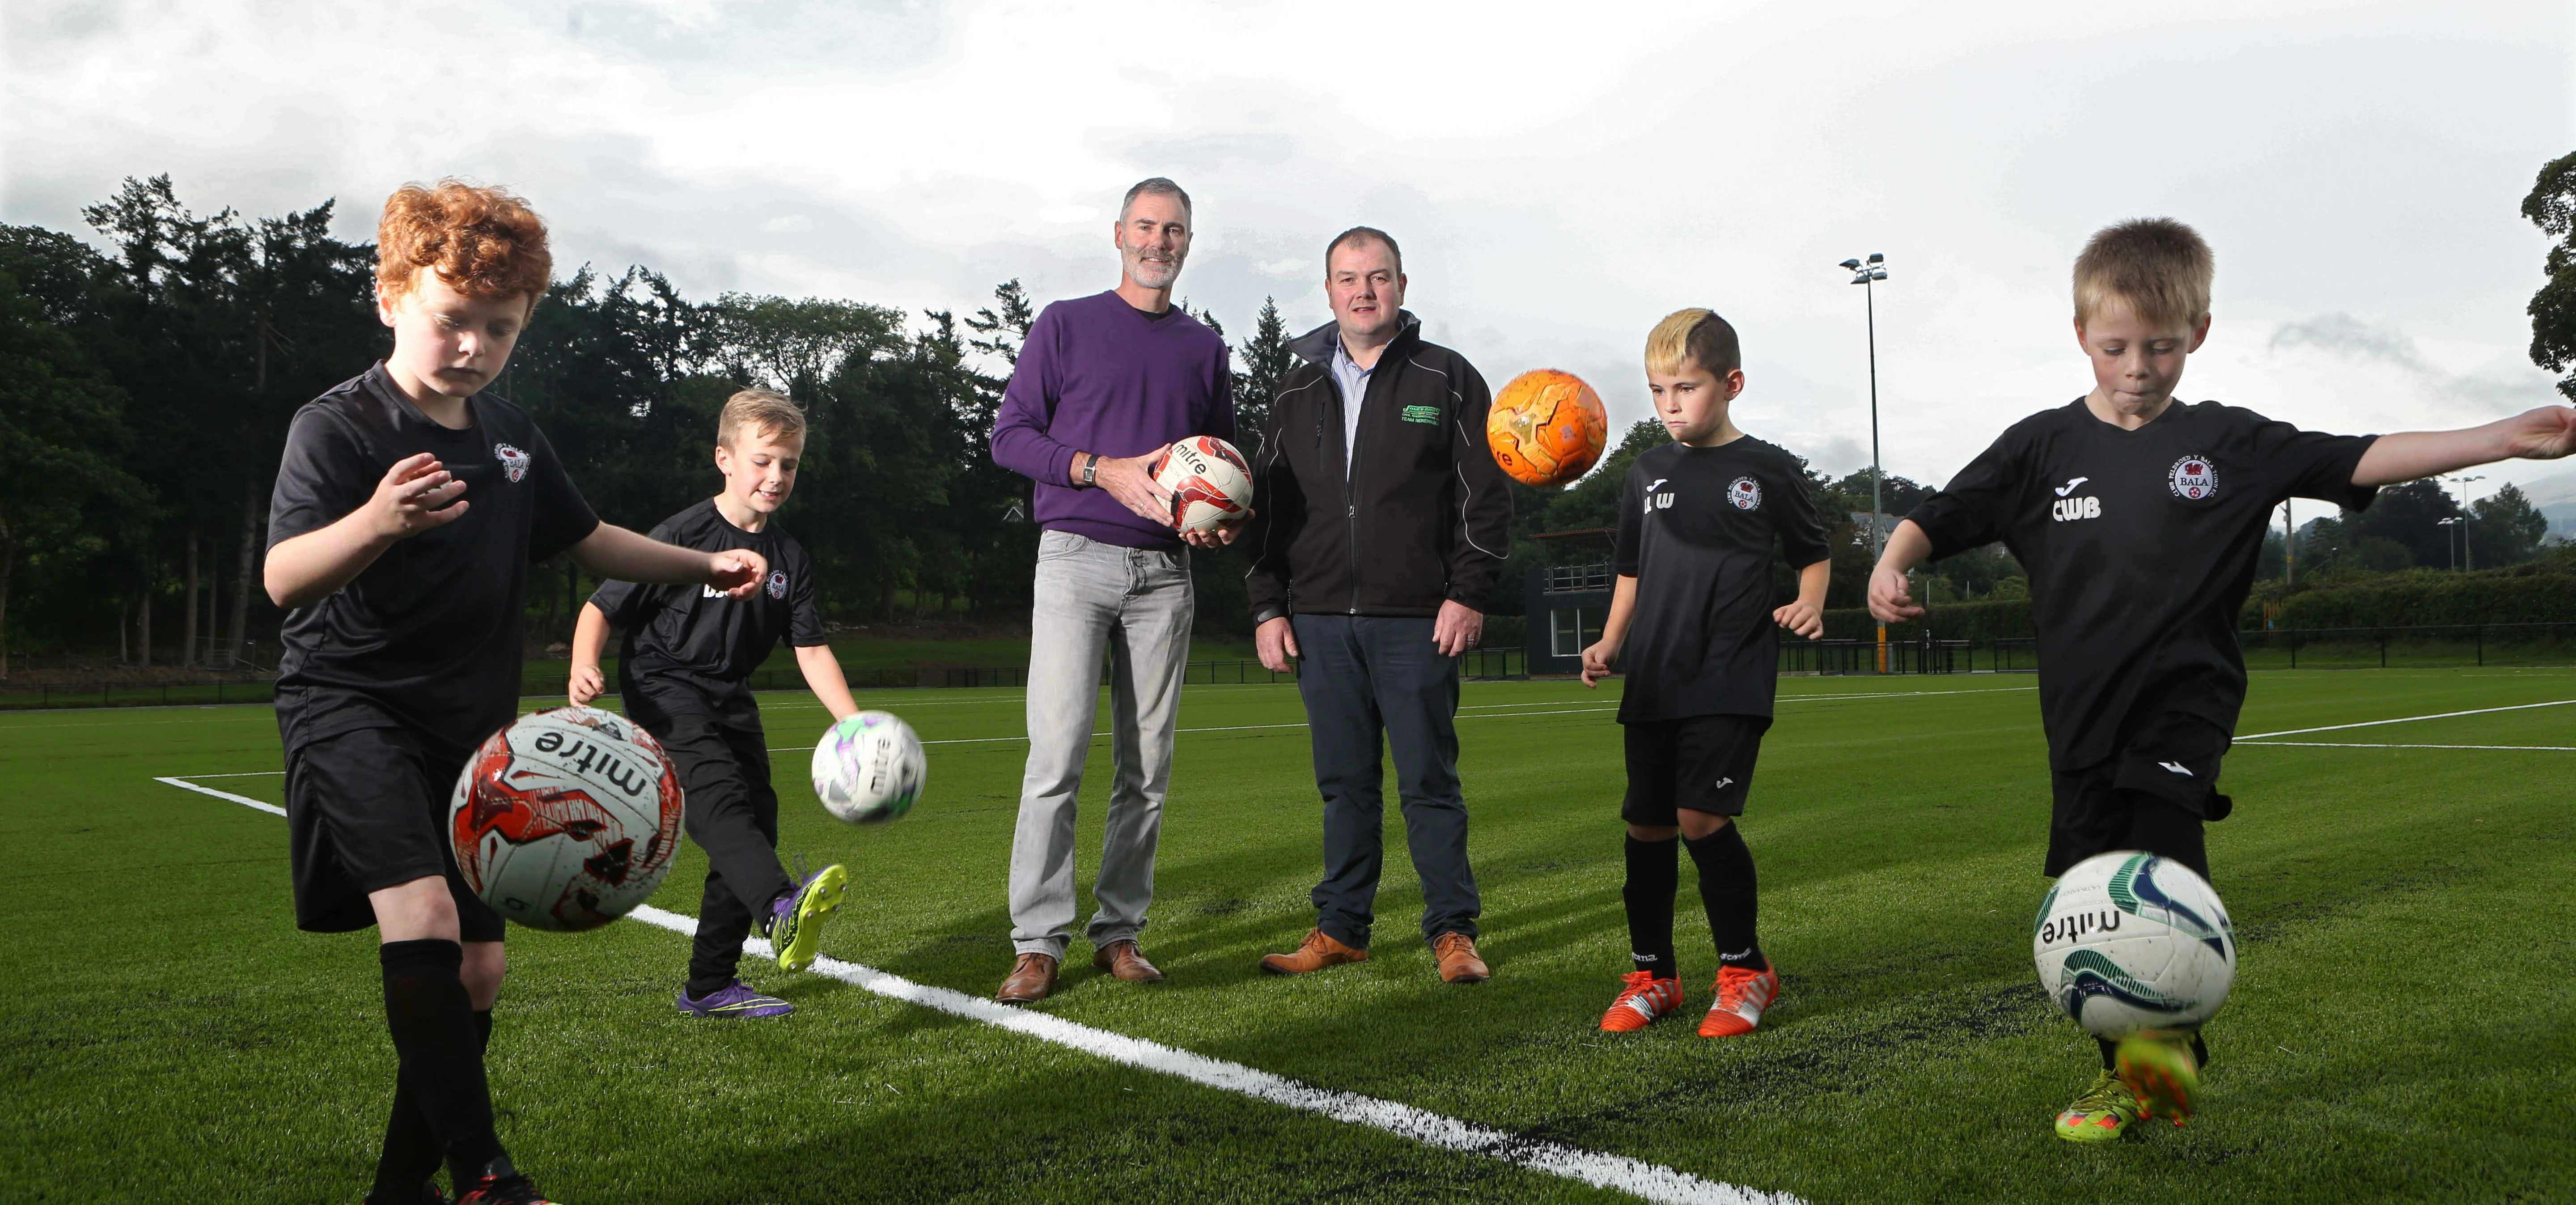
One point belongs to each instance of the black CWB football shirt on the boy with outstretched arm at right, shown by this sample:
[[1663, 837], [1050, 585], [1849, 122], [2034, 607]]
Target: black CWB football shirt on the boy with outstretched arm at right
[[2139, 550]]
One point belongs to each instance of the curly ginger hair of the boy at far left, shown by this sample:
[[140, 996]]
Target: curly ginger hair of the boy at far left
[[480, 241]]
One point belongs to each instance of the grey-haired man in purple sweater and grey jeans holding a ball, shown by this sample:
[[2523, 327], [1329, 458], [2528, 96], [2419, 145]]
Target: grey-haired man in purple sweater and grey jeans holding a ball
[[1104, 385]]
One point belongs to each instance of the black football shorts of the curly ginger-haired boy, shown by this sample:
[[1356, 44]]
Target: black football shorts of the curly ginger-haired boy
[[370, 810]]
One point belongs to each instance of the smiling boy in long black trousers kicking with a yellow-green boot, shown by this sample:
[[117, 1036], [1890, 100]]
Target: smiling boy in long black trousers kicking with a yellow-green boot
[[684, 673]]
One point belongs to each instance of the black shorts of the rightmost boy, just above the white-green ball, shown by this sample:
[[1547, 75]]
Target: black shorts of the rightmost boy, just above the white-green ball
[[2150, 797]]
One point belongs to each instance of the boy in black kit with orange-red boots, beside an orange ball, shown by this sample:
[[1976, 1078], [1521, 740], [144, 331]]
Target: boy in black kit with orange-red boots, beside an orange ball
[[1696, 532]]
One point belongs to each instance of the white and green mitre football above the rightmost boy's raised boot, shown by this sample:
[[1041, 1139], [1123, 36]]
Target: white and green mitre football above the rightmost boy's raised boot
[[2132, 941]]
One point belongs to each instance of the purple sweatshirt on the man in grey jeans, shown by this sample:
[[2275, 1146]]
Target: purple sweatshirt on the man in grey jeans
[[1106, 377]]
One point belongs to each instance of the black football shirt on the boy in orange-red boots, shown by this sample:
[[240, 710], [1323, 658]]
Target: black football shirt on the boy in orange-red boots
[[1696, 532]]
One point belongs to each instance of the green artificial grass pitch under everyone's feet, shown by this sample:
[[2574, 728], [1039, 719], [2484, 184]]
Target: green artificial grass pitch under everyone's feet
[[2400, 1029]]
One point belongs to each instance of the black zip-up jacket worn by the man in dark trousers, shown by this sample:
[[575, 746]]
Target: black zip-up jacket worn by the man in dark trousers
[[1421, 519]]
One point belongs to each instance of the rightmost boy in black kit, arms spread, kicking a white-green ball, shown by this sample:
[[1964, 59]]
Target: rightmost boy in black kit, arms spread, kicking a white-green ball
[[2139, 524]]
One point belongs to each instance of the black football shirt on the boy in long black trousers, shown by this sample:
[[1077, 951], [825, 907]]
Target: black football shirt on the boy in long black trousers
[[699, 635]]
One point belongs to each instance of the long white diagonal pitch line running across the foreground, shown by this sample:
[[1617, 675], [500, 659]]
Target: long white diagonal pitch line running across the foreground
[[1634, 1178]]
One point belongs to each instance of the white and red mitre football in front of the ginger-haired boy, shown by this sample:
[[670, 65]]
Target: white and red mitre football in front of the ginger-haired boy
[[565, 820]]
